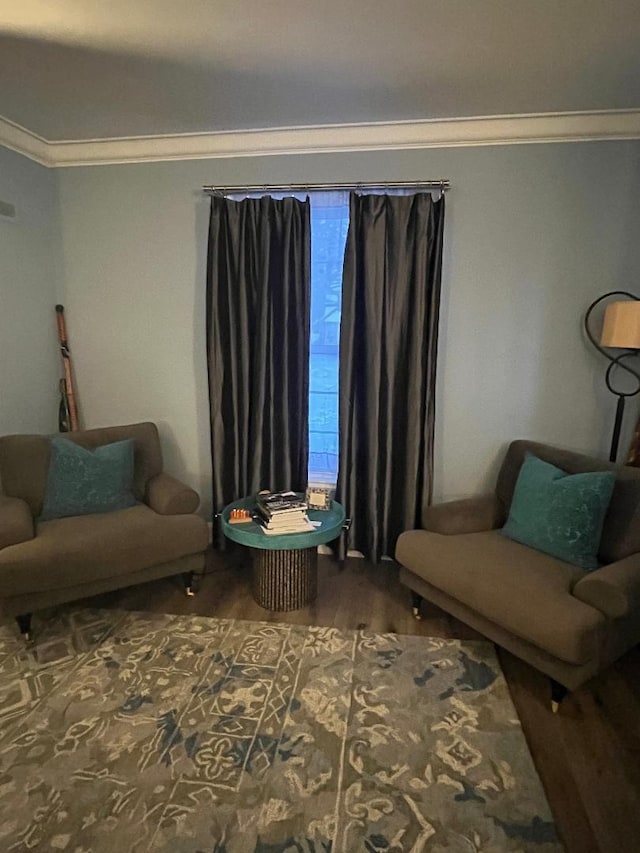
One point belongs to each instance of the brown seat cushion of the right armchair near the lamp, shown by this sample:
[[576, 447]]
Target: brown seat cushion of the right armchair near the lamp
[[524, 591]]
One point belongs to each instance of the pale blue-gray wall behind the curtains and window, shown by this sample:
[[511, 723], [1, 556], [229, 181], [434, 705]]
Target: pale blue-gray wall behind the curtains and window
[[534, 233]]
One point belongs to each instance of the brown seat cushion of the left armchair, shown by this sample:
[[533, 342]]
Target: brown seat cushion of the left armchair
[[67, 551]]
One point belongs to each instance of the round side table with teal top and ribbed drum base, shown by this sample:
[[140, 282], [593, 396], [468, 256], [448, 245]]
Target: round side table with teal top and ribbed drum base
[[285, 567]]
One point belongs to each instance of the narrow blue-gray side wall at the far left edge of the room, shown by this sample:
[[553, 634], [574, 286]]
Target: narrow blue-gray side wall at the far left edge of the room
[[29, 289]]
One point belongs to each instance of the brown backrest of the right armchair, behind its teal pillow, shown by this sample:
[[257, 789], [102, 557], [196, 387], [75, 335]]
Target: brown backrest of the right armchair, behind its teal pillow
[[621, 529]]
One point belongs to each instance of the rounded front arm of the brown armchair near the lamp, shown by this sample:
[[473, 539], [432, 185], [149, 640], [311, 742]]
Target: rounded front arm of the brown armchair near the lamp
[[614, 589]]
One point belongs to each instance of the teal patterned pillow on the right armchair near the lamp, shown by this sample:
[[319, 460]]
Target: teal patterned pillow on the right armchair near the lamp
[[559, 513]]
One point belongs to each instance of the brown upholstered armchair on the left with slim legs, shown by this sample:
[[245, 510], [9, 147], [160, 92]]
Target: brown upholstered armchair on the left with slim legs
[[51, 562]]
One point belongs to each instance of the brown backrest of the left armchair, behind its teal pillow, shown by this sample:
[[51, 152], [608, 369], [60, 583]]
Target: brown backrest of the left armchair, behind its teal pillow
[[24, 459]]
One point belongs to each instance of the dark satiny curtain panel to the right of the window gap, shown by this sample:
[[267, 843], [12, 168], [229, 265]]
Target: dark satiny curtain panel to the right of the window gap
[[388, 344]]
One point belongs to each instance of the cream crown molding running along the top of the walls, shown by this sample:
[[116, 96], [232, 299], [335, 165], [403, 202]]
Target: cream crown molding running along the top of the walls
[[446, 133]]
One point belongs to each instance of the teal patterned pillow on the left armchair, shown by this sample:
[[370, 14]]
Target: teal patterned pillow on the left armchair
[[81, 481]]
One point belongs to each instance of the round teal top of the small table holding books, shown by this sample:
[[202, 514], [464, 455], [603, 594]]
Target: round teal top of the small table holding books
[[251, 534]]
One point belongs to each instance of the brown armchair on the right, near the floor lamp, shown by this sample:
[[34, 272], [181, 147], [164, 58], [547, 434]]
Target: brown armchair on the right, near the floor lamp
[[568, 623]]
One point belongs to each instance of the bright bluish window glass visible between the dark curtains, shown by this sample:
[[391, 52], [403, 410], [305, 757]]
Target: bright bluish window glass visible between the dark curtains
[[329, 223]]
